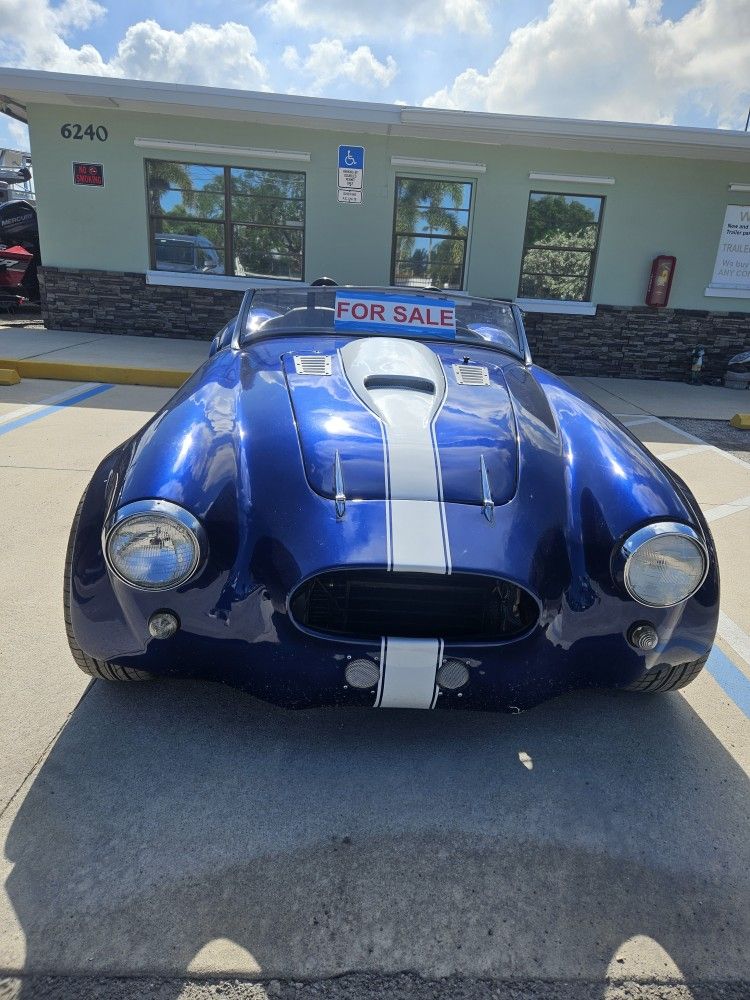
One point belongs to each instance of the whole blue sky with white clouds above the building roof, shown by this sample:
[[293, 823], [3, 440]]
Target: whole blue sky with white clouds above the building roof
[[681, 62]]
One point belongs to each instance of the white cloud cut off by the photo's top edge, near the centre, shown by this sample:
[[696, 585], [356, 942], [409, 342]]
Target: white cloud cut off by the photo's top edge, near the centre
[[380, 17]]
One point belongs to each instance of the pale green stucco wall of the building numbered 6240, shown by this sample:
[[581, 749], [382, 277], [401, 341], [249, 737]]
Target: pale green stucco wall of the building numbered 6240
[[657, 205]]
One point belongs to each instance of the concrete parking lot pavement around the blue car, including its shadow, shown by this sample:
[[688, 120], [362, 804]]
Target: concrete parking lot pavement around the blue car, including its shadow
[[177, 839]]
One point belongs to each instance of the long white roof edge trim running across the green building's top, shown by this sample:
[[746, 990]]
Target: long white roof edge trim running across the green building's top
[[20, 87]]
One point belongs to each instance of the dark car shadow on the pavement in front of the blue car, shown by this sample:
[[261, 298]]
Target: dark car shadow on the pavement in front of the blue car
[[184, 826]]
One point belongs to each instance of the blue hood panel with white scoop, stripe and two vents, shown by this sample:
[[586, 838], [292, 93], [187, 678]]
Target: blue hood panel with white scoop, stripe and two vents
[[389, 418]]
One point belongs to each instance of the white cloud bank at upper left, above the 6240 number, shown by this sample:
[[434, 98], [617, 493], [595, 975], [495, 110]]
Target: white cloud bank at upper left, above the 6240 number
[[34, 34]]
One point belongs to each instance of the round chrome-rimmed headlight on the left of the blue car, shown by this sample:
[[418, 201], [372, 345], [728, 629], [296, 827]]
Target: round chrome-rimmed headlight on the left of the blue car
[[154, 545]]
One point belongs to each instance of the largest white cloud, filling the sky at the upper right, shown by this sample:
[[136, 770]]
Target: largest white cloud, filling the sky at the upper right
[[617, 59]]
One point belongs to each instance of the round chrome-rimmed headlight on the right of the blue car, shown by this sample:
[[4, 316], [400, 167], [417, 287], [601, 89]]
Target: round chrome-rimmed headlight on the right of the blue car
[[664, 564]]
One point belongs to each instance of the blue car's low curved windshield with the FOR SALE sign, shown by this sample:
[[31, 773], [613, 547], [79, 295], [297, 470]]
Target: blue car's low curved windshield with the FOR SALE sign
[[389, 312]]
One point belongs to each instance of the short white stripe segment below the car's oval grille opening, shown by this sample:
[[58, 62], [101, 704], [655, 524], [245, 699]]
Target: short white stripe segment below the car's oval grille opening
[[408, 668]]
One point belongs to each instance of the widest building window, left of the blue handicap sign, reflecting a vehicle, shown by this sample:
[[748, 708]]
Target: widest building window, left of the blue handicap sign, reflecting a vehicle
[[226, 220]]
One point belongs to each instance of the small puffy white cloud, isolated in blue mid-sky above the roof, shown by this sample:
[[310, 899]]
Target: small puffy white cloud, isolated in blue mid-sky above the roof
[[329, 60]]
